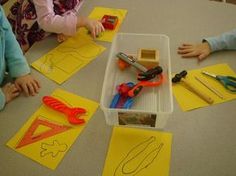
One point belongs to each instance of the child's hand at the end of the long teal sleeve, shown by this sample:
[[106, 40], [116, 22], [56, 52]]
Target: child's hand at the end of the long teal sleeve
[[27, 84]]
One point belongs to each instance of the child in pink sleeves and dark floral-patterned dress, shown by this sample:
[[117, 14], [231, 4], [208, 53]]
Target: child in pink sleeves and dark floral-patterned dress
[[32, 20]]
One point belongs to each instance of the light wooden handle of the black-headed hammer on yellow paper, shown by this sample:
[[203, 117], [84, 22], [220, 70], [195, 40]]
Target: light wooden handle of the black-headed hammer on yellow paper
[[195, 90]]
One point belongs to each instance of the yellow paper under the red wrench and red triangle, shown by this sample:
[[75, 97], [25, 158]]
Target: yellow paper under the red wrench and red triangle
[[50, 151]]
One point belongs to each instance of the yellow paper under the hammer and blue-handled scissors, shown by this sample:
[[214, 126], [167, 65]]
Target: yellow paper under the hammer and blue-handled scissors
[[189, 101]]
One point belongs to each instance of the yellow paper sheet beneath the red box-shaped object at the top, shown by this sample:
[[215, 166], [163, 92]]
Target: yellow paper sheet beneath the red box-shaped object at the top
[[97, 14]]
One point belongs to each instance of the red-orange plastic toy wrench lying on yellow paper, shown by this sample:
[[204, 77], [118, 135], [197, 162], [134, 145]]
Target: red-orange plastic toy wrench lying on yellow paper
[[73, 114]]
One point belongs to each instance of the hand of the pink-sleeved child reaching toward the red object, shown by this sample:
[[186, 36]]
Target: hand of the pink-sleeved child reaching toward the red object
[[94, 26]]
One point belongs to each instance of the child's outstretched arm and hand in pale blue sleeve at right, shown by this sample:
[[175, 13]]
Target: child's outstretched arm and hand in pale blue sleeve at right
[[226, 41]]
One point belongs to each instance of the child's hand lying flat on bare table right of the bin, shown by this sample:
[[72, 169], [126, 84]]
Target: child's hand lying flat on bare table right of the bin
[[201, 51]]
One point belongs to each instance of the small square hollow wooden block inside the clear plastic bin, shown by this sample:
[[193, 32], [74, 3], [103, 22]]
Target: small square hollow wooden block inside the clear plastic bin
[[148, 57]]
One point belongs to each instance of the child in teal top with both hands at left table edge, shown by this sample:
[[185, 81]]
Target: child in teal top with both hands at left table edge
[[12, 59]]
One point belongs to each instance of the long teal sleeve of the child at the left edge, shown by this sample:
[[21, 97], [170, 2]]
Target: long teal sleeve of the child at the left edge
[[15, 59]]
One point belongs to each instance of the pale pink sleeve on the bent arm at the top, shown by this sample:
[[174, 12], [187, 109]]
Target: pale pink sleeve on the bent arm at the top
[[51, 22]]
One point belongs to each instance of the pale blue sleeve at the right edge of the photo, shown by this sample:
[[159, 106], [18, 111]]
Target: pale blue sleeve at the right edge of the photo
[[225, 41]]
